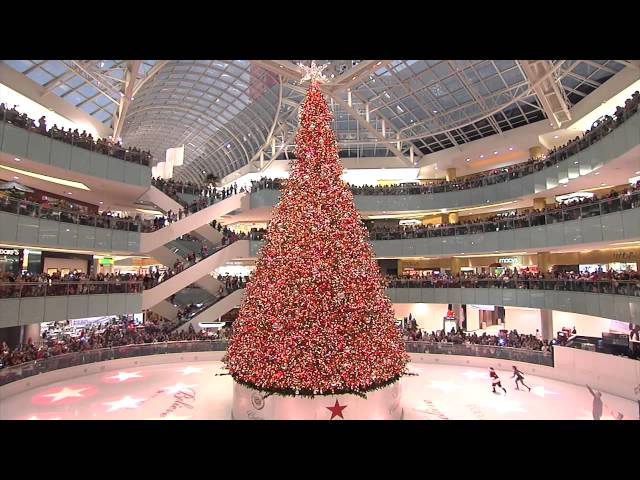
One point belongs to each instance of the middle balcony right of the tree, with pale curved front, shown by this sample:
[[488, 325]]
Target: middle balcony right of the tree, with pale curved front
[[608, 220]]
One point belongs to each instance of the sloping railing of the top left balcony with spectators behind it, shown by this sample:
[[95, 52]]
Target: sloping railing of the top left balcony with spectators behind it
[[109, 149]]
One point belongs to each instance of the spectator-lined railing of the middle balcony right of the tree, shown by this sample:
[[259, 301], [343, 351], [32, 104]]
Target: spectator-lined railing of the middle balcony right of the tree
[[533, 219]]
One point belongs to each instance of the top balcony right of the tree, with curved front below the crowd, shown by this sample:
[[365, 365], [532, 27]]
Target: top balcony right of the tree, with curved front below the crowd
[[619, 146]]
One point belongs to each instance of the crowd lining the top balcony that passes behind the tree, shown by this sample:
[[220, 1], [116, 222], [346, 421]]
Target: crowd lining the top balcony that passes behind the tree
[[600, 129]]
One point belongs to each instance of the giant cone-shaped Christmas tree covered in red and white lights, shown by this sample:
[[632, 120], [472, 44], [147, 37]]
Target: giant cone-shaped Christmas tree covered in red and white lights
[[315, 319]]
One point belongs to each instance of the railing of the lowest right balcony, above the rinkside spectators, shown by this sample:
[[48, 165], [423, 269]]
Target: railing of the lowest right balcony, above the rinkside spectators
[[616, 287]]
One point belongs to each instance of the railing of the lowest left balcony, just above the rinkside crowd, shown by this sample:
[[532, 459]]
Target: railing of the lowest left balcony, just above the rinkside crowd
[[56, 289]]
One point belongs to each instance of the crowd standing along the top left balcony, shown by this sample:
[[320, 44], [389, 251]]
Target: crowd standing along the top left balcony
[[74, 137]]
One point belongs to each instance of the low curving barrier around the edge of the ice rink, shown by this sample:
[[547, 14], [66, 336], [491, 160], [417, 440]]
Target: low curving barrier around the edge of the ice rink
[[35, 367]]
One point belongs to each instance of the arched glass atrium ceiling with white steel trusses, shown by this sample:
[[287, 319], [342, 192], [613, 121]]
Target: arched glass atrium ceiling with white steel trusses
[[226, 113]]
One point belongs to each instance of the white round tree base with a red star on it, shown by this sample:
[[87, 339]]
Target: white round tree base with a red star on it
[[382, 404]]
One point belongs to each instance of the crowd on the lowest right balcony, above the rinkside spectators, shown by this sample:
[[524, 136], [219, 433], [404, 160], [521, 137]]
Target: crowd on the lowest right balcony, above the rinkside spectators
[[621, 283]]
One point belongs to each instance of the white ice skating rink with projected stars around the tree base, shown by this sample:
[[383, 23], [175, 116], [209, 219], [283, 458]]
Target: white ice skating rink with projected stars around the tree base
[[198, 391]]
